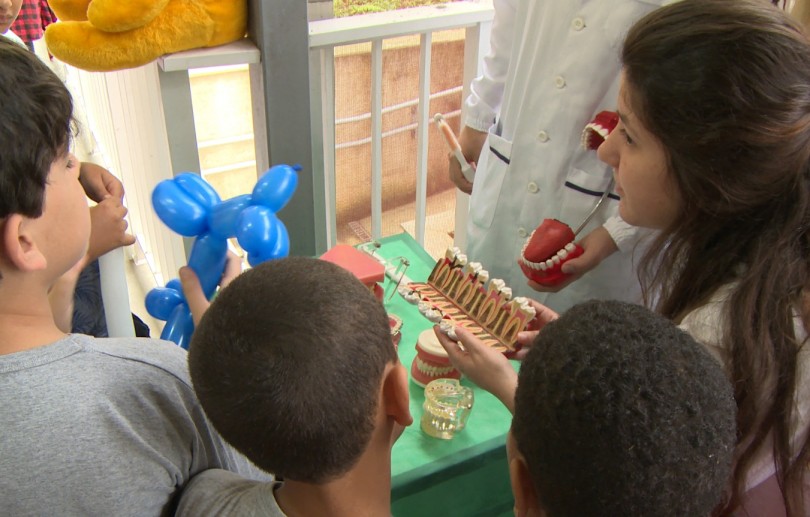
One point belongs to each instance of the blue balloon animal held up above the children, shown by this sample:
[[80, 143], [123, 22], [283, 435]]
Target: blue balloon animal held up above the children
[[188, 205]]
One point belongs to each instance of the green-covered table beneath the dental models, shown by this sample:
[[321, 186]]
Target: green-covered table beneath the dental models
[[468, 475]]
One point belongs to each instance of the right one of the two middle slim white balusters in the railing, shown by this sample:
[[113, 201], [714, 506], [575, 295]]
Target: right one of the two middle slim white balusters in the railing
[[423, 123]]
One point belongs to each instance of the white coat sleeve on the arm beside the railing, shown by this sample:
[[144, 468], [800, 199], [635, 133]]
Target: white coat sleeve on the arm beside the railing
[[486, 90]]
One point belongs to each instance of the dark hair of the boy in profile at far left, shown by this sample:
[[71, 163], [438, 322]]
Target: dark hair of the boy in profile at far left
[[35, 124]]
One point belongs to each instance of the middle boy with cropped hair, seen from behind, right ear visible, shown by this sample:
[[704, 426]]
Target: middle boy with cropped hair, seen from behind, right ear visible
[[295, 367]]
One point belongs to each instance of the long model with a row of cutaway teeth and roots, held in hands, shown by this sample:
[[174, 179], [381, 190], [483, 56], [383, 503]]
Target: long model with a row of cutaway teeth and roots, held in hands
[[460, 294]]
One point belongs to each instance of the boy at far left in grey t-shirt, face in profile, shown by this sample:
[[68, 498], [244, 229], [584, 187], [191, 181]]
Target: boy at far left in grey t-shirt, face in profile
[[90, 426]]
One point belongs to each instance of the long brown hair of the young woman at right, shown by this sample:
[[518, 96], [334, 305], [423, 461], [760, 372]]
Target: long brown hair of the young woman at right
[[725, 86]]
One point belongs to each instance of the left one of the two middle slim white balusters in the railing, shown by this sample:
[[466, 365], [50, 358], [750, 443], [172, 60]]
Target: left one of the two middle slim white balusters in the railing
[[376, 138]]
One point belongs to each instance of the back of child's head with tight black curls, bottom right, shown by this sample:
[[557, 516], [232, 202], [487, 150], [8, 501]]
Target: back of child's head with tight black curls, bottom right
[[619, 412]]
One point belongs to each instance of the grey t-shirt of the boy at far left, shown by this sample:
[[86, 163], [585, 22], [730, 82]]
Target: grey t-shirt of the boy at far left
[[103, 427]]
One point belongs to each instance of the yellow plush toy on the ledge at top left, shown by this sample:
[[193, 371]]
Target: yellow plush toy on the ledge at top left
[[106, 35]]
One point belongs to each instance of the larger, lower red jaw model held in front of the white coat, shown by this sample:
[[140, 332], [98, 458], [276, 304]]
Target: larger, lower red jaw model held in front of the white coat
[[549, 247]]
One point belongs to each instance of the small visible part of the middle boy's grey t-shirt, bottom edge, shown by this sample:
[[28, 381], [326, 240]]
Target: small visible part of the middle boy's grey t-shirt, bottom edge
[[221, 493]]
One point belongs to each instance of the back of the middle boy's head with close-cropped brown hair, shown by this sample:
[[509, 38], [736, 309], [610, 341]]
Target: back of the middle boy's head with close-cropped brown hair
[[287, 363]]
